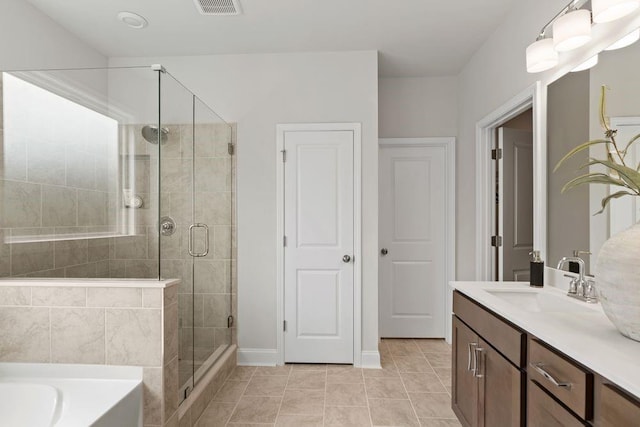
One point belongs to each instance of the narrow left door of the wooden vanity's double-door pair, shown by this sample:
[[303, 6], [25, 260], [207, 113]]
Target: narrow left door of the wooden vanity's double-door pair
[[464, 395]]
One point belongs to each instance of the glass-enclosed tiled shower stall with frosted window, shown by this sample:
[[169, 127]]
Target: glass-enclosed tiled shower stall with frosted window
[[122, 173]]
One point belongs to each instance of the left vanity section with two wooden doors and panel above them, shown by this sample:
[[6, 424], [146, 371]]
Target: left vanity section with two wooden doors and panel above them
[[487, 384]]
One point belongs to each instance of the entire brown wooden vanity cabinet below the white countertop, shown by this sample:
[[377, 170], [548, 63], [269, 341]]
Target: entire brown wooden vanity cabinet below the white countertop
[[503, 376]]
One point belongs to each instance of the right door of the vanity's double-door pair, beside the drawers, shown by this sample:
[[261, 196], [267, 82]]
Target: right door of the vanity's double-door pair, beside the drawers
[[500, 389]]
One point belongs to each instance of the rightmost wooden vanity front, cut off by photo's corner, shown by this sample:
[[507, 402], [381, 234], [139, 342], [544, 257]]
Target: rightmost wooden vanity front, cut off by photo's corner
[[617, 409]]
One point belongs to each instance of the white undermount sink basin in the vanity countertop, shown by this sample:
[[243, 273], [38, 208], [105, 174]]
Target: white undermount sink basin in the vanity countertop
[[537, 301]]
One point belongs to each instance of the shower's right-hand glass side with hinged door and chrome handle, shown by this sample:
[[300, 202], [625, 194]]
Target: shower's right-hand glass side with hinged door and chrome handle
[[195, 176]]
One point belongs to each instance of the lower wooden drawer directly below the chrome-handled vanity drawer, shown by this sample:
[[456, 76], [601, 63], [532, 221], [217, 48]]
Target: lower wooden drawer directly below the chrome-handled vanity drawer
[[543, 411]]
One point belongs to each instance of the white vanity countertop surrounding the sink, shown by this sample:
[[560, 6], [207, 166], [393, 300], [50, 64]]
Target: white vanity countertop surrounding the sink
[[586, 336]]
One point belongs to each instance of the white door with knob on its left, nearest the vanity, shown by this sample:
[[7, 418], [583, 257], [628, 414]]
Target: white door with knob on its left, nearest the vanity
[[412, 264]]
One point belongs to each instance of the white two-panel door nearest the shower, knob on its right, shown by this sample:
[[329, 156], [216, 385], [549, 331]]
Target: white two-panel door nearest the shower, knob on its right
[[318, 256]]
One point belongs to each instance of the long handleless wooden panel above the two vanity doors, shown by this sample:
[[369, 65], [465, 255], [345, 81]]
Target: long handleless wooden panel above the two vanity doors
[[505, 338]]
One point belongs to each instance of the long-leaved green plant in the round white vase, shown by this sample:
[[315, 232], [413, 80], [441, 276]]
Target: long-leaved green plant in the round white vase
[[618, 173]]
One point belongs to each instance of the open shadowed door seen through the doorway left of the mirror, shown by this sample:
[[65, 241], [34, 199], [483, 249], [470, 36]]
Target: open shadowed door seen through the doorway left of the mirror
[[515, 211]]
